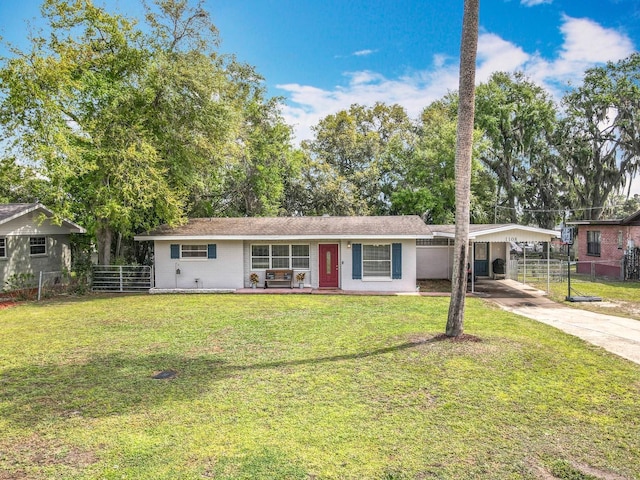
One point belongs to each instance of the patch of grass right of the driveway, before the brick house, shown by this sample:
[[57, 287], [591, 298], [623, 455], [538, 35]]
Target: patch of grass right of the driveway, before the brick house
[[619, 298]]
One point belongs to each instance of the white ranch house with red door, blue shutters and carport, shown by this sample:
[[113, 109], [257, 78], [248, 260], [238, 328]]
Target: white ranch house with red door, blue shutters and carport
[[381, 254]]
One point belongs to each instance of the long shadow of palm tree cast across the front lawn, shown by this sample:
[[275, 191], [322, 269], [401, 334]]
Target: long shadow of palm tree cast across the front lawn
[[114, 383]]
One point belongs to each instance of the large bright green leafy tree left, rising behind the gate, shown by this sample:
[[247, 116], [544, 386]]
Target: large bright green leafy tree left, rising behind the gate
[[132, 128]]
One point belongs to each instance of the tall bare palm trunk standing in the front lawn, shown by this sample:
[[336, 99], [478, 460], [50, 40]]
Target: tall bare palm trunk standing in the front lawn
[[464, 146]]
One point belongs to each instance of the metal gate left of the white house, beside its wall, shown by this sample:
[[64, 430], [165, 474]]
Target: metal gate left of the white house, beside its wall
[[121, 278]]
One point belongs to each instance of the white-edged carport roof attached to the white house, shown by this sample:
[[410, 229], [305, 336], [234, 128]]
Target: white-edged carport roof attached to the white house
[[480, 232]]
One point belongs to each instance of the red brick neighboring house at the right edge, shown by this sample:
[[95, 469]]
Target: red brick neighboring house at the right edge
[[602, 244]]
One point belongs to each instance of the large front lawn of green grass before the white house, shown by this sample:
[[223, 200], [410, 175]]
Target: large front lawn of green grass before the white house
[[305, 387]]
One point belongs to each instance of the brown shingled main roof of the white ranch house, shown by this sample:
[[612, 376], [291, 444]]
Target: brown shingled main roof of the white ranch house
[[325, 227]]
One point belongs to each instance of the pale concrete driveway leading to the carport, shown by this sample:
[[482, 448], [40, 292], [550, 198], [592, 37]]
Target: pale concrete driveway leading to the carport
[[616, 334]]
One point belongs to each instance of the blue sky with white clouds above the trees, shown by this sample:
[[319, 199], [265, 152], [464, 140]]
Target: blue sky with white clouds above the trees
[[324, 55]]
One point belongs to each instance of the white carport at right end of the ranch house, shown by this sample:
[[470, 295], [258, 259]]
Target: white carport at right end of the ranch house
[[487, 243]]
